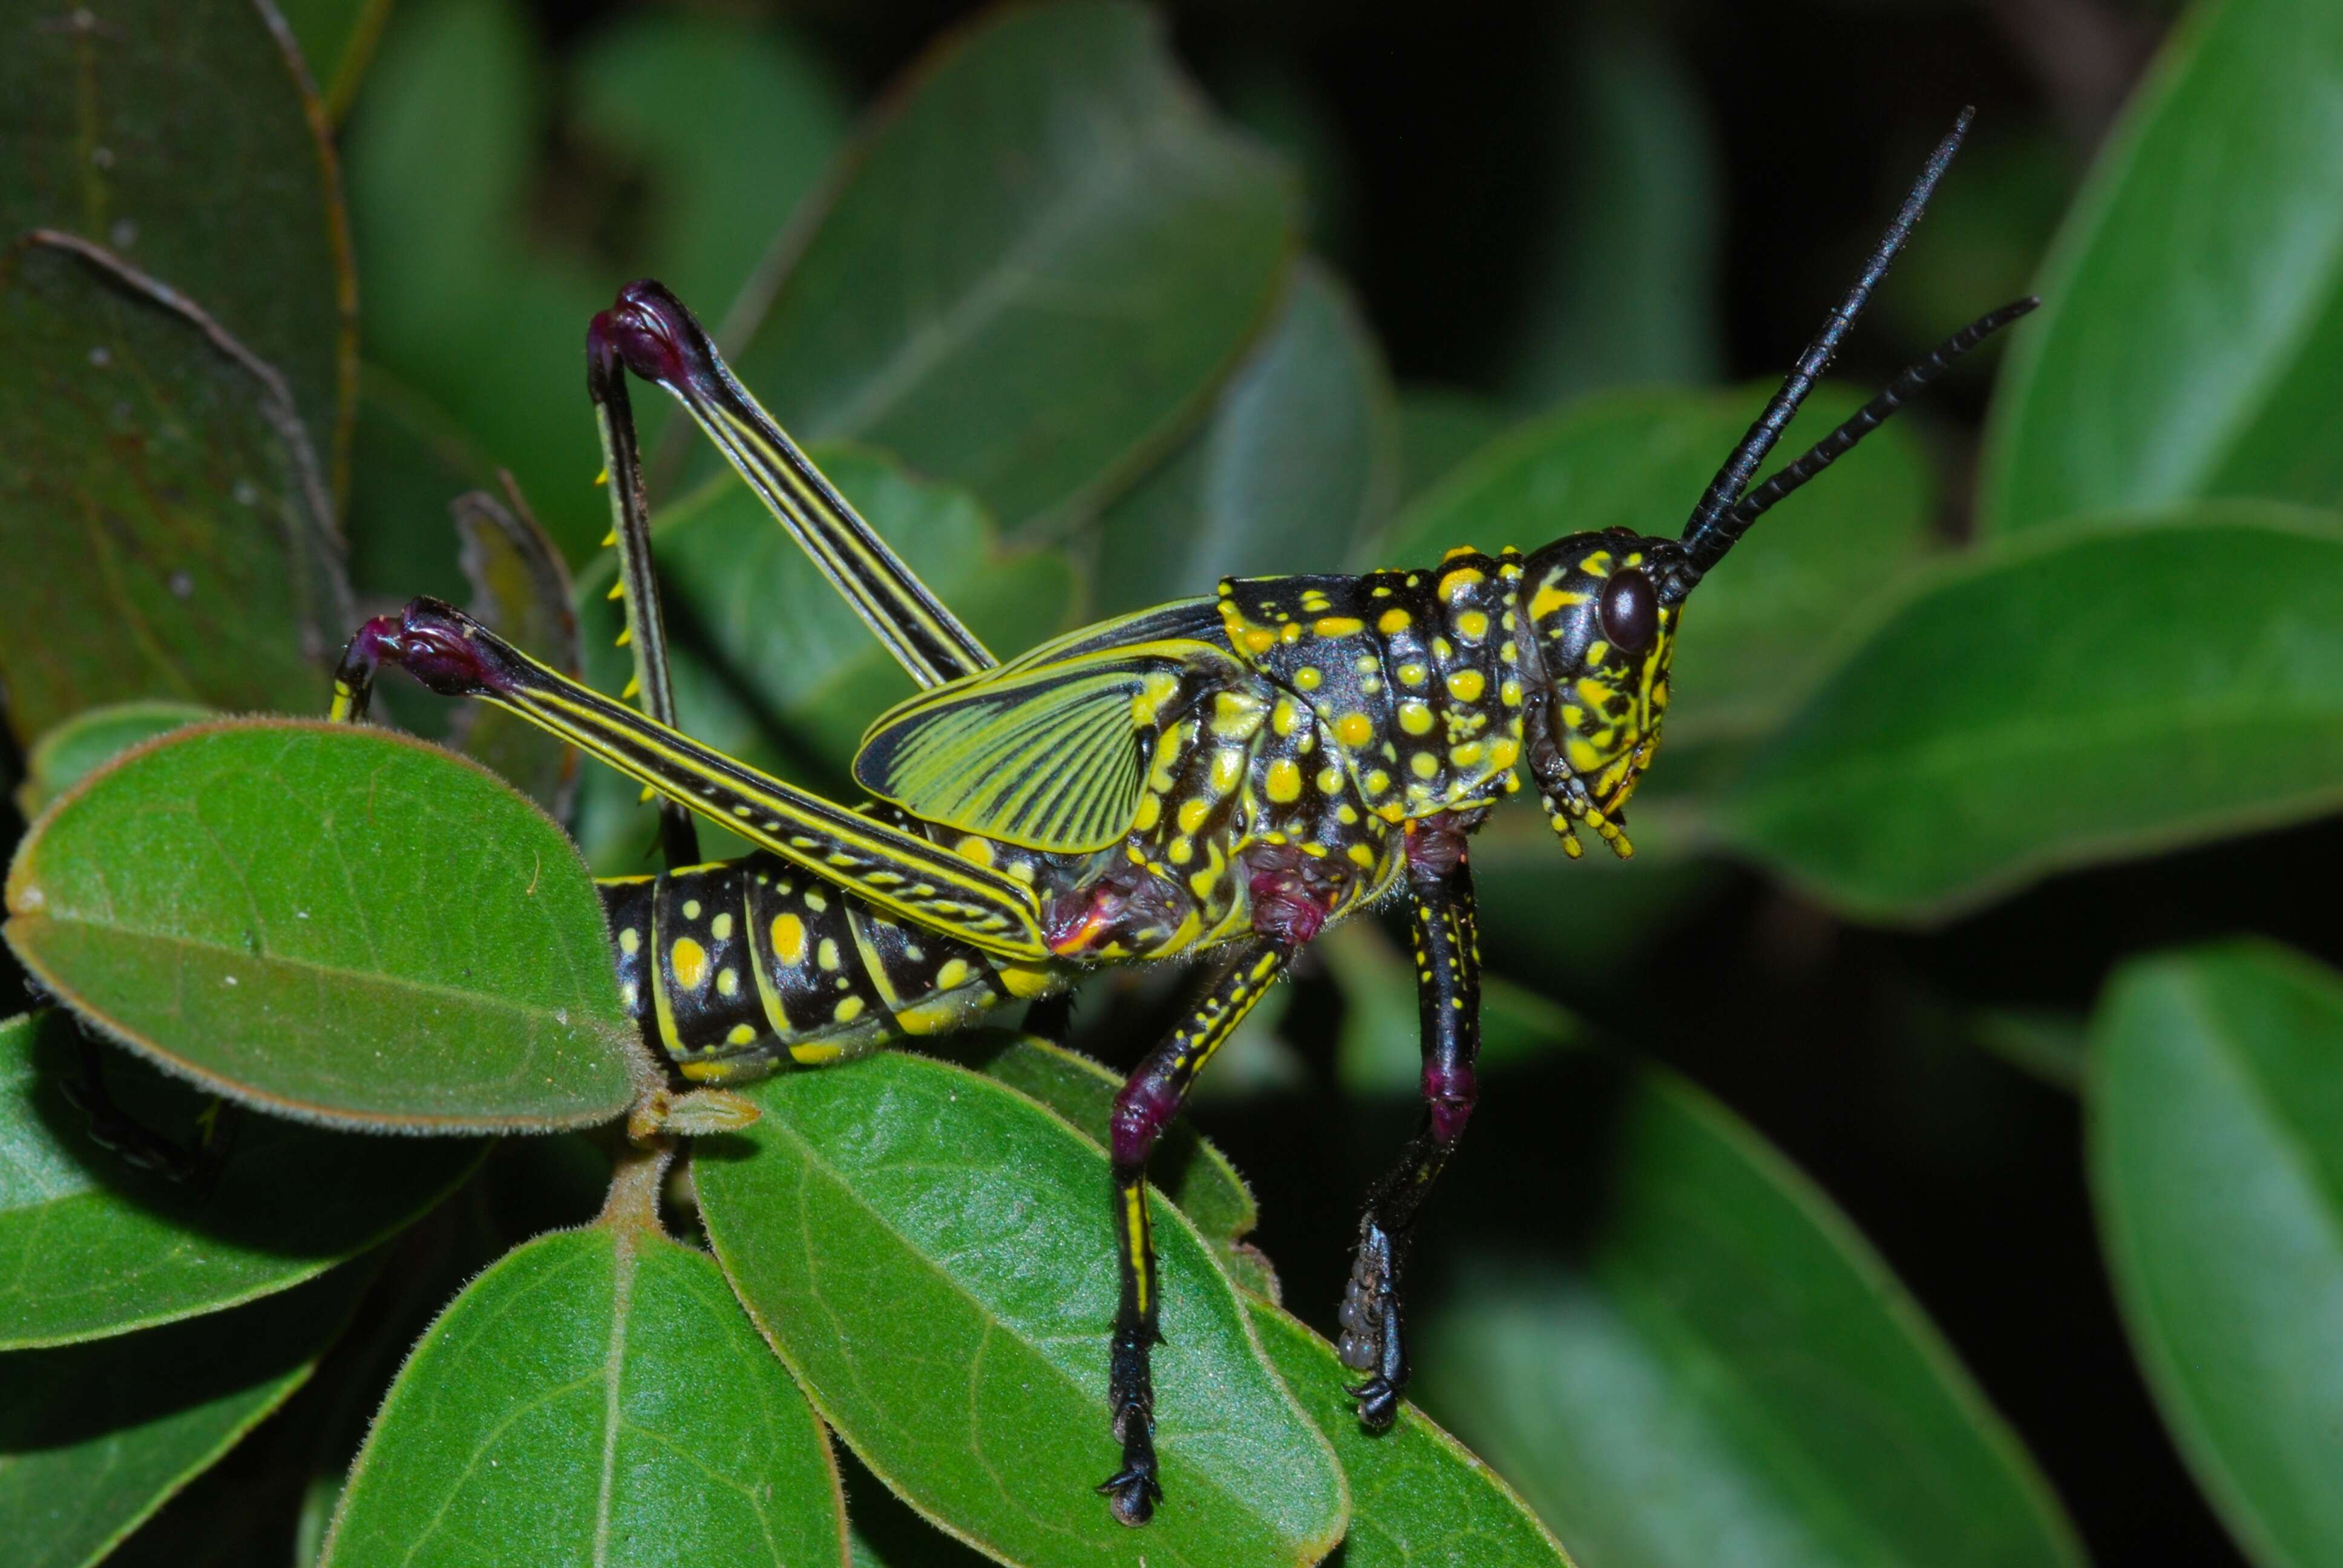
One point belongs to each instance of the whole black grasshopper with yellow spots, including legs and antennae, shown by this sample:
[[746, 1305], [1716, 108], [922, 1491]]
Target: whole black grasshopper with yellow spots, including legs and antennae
[[1215, 779]]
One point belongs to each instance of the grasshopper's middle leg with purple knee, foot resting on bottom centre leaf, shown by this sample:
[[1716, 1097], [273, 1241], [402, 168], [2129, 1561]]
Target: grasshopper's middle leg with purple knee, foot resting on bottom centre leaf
[[1147, 1105]]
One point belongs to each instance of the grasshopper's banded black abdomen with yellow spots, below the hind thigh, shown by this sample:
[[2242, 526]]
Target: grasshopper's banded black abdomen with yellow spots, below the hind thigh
[[739, 969]]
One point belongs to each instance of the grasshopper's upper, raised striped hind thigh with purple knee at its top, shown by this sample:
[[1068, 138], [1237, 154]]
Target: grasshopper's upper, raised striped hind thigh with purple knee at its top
[[662, 343]]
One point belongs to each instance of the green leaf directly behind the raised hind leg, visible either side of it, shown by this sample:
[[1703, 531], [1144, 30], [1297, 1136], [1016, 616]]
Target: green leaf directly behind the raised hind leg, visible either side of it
[[772, 664]]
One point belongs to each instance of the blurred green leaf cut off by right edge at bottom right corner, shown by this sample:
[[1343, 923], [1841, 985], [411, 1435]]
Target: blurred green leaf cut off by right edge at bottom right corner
[[2218, 1166]]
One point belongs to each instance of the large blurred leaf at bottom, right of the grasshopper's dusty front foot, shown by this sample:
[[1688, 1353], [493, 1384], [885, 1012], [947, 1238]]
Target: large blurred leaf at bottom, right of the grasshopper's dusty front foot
[[1728, 1372]]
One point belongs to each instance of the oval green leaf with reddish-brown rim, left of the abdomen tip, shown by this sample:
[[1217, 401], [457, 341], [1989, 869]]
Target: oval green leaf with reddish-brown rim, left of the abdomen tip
[[329, 922]]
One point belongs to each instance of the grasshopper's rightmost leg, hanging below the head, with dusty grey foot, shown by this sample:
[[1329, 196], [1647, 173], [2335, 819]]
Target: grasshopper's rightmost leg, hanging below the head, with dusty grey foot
[[1449, 1011]]
